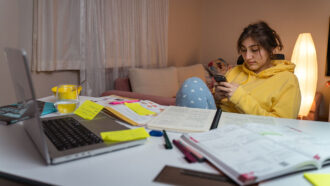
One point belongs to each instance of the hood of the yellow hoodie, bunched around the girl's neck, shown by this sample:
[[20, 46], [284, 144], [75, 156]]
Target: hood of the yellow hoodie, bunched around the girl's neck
[[278, 66]]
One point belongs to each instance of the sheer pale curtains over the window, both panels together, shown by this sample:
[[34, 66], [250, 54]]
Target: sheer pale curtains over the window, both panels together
[[101, 38]]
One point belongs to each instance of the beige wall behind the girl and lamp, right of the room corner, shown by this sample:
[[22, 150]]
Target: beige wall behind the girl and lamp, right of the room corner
[[223, 21]]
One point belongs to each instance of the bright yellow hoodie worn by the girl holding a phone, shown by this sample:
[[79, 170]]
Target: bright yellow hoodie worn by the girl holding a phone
[[272, 92]]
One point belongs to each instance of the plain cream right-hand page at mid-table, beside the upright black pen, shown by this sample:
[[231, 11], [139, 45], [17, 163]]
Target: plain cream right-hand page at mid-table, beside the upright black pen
[[184, 119]]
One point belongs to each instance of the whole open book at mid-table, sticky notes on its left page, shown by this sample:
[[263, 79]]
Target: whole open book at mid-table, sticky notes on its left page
[[171, 118]]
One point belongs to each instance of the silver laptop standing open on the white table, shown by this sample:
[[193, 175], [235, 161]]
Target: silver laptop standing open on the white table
[[50, 134]]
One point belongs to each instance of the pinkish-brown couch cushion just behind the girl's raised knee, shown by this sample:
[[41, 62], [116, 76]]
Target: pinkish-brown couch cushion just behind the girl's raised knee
[[191, 71]]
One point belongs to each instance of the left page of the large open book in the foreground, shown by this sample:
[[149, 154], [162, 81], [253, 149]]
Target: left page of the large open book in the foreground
[[246, 152]]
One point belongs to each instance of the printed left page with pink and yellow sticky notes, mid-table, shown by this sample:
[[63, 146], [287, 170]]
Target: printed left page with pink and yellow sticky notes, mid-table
[[122, 112]]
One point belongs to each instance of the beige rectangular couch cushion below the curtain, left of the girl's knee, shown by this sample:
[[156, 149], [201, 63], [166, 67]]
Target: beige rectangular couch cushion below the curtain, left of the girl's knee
[[158, 82]]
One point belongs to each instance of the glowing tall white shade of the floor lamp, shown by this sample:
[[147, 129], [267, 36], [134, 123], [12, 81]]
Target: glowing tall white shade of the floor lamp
[[304, 56]]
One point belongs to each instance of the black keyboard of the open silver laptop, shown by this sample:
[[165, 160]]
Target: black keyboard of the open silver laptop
[[68, 133]]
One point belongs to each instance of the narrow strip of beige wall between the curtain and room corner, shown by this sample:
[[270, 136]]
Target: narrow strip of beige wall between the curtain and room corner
[[184, 32]]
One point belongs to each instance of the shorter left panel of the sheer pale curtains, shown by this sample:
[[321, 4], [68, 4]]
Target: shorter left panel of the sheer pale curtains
[[56, 42]]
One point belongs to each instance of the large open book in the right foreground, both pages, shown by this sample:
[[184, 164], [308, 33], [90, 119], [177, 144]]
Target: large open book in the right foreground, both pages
[[252, 152]]
